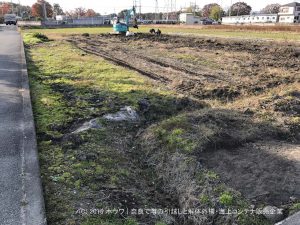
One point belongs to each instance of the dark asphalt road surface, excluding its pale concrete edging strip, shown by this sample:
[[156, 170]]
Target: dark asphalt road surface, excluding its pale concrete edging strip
[[10, 127]]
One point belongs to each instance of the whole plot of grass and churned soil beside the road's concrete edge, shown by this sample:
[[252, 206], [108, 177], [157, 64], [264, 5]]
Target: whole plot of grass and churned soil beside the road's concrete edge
[[218, 127]]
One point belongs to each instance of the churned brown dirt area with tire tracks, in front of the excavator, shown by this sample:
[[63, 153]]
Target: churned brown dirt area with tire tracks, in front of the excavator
[[203, 68]]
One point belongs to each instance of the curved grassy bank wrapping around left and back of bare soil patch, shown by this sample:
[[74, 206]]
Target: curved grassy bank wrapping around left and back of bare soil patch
[[177, 147]]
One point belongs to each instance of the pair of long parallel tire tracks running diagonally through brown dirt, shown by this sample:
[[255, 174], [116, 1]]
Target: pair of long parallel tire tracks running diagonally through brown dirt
[[185, 85]]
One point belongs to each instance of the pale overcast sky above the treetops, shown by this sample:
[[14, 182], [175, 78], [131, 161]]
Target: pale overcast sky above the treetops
[[110, 6]]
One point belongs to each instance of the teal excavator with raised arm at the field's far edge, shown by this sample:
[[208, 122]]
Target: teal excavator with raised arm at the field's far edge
[[123, 27]]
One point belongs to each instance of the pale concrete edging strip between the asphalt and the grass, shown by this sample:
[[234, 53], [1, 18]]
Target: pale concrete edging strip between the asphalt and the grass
[[32, 205]]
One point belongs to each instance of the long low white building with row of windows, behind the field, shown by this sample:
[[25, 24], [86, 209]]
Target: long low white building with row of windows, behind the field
[[251, 19]]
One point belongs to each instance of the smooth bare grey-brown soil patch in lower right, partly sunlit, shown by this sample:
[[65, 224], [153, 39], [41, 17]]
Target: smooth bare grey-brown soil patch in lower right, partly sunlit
[[265, 172]]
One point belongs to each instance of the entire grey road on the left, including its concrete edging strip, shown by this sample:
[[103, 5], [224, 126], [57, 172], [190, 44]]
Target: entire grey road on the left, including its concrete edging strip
[[21, 201]]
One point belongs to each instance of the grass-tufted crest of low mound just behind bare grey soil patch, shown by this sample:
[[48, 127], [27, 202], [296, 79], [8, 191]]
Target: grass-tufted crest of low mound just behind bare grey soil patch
[[211, 129]]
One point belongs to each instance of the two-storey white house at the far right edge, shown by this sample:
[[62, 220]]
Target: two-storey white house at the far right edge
[[289, 13]]
